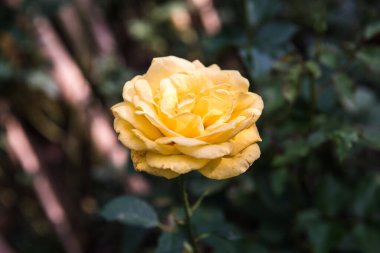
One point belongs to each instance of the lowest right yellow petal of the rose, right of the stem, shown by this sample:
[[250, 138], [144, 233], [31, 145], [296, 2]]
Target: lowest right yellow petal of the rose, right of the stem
[[224, 168]]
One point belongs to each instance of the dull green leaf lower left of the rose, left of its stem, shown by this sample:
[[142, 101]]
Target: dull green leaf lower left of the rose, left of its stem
[[130, 211]]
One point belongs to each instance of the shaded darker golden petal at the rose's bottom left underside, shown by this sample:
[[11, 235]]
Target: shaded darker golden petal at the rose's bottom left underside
[[139, 163]]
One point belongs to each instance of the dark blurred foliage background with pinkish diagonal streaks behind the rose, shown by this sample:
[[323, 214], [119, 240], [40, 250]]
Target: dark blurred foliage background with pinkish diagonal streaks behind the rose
[[315, 63]]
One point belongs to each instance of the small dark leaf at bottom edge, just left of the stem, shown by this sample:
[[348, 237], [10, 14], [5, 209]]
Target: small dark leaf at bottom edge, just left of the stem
[[170, 243]]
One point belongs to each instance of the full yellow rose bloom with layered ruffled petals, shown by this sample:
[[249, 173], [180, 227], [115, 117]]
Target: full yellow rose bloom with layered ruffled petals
[[182, 116]]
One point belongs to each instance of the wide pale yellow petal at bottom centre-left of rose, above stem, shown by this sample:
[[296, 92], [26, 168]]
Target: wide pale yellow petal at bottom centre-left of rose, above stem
[[178, 163]]
